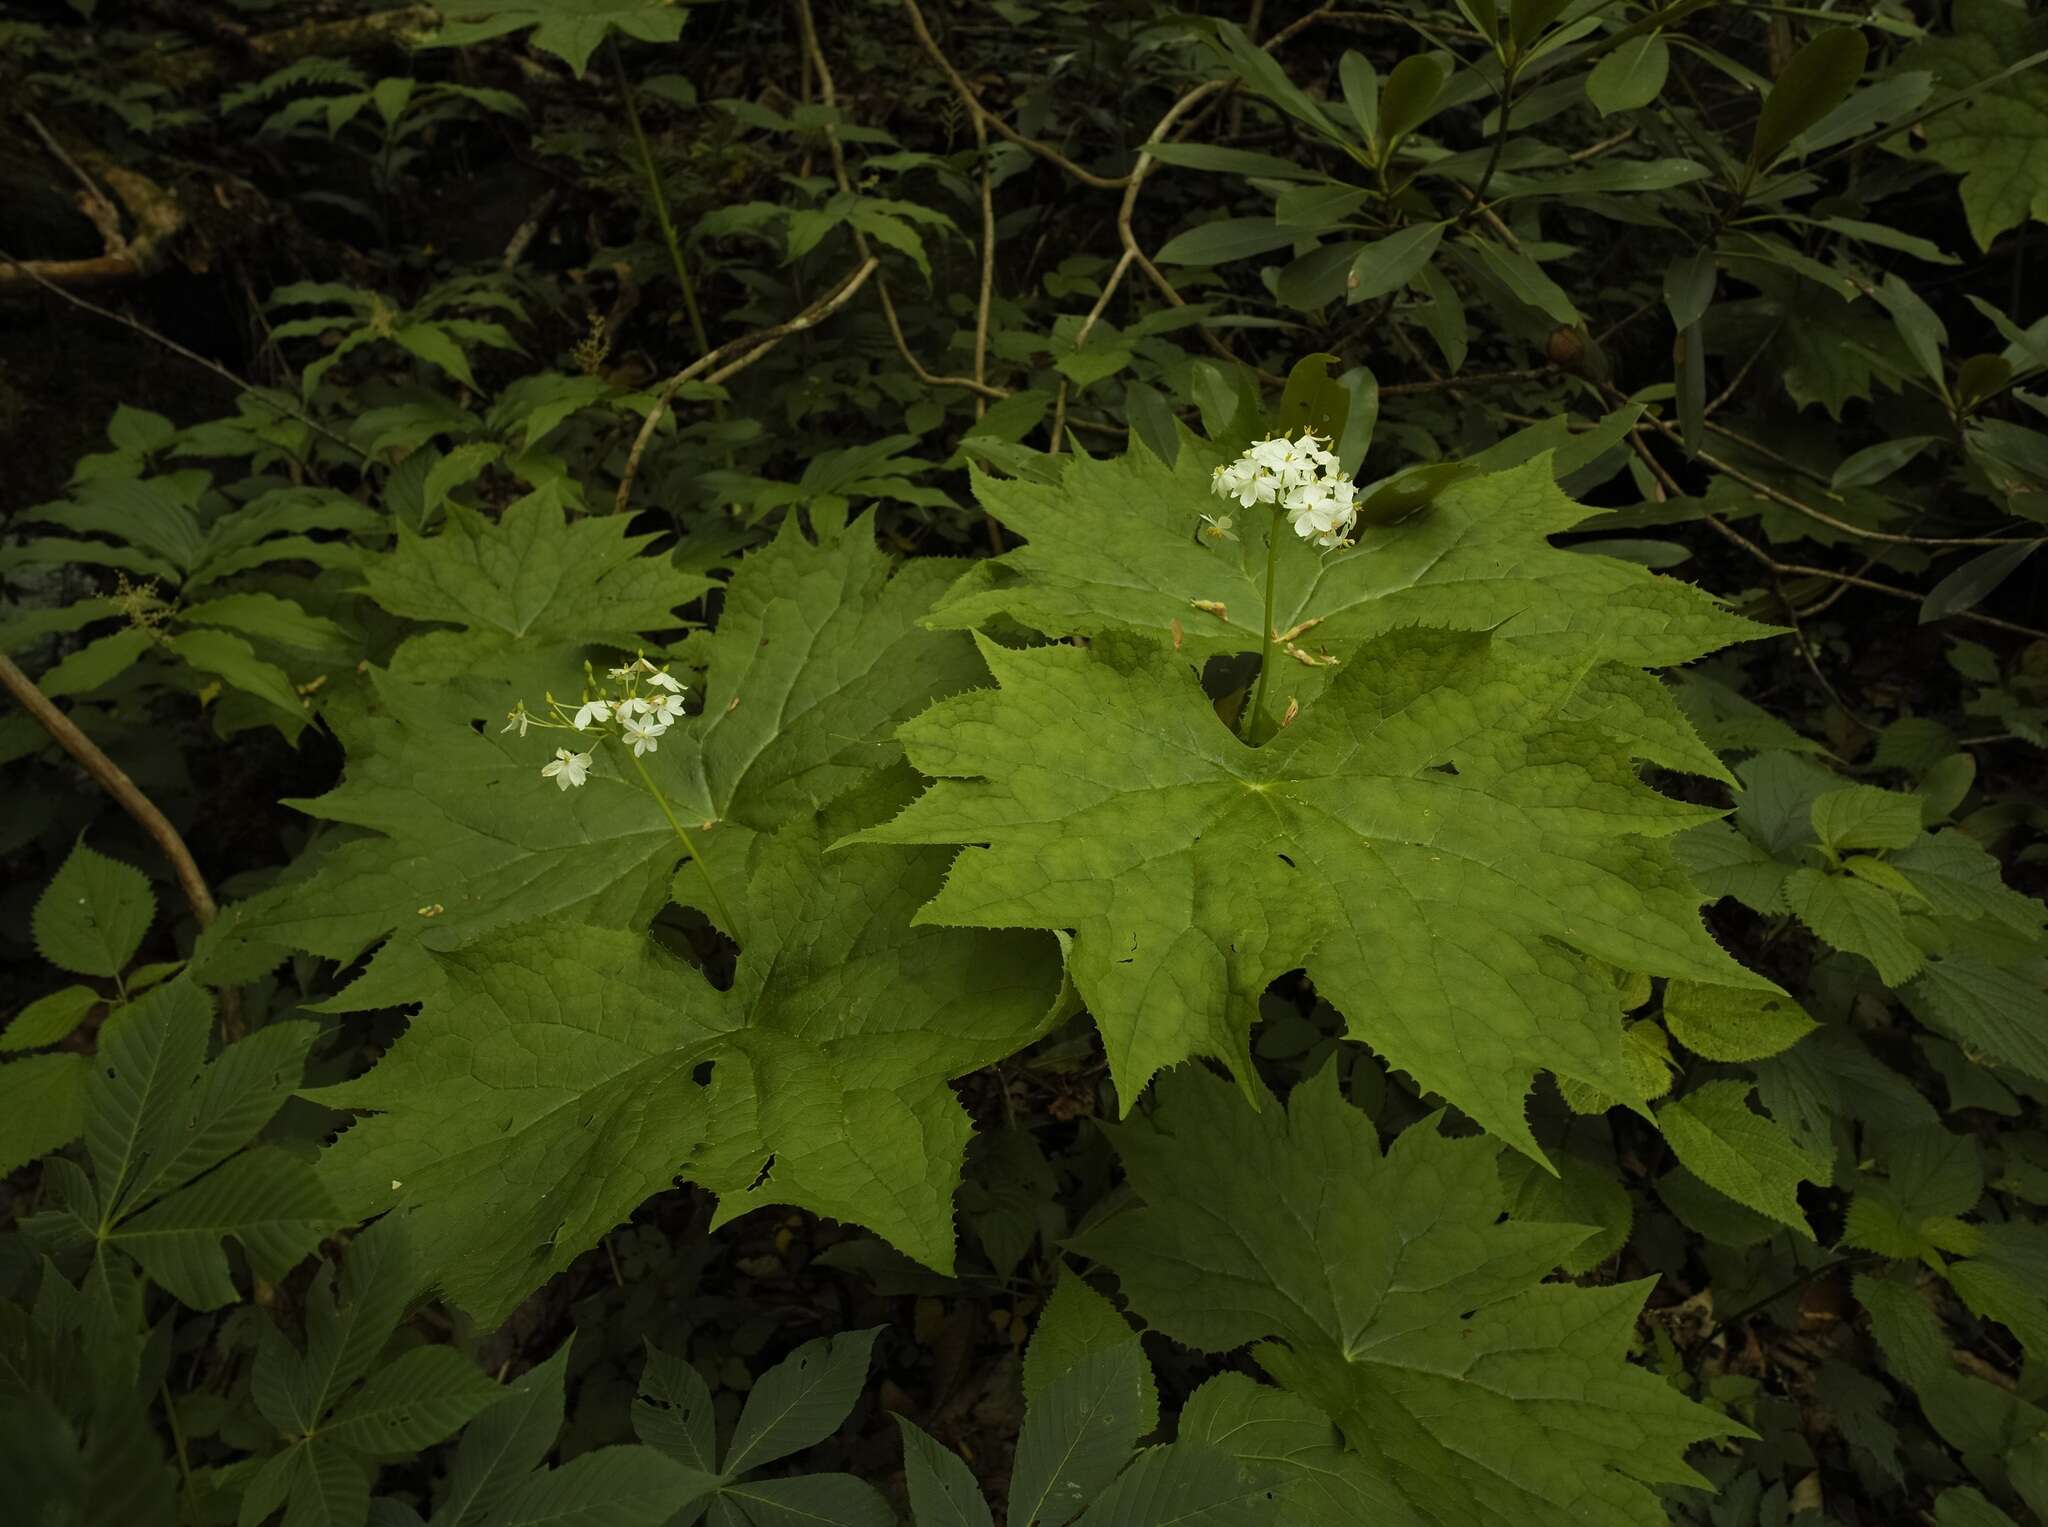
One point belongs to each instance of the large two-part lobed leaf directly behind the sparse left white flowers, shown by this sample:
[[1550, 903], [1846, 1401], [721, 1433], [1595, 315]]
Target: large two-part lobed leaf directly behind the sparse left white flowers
[[816, 658]]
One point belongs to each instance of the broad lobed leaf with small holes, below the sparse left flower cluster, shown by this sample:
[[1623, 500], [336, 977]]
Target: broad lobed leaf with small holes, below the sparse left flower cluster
[[562, 1076]]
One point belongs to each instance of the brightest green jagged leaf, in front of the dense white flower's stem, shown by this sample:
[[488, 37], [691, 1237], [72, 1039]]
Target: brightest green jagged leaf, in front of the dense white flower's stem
[[1433, 840]]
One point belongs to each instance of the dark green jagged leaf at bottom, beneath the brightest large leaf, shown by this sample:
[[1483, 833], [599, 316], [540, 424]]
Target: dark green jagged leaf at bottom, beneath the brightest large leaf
[[1394, 1295]]
